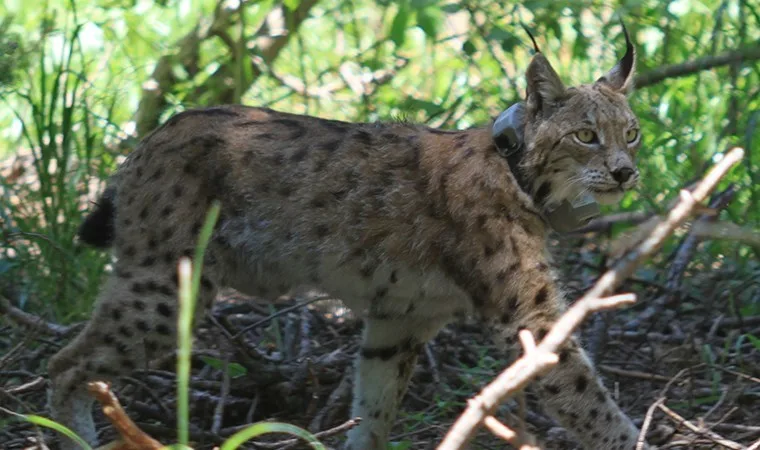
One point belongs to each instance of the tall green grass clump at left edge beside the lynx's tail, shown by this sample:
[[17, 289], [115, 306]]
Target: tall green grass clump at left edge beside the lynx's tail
[[62, 135]]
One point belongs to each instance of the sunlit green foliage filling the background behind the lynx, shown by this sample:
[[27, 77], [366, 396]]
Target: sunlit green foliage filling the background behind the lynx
[[91, 69]]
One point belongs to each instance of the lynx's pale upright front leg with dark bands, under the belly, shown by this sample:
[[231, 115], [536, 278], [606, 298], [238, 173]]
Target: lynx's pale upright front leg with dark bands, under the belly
[[384, 365]]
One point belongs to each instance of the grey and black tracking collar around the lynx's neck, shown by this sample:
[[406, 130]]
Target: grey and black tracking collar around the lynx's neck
[[507, 133]]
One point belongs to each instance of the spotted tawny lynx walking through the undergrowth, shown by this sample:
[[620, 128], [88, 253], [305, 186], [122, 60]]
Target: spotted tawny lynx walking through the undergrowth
[[411, 226]]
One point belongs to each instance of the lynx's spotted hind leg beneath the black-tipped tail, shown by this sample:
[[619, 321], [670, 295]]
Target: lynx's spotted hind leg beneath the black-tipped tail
[[134, 321]]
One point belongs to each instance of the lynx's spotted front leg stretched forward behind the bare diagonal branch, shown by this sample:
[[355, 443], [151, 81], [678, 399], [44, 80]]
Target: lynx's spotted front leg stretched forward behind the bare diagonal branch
[[511, 284]]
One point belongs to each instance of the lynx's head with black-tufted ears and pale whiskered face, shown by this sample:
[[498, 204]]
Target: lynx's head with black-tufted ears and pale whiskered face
[[580, 139]]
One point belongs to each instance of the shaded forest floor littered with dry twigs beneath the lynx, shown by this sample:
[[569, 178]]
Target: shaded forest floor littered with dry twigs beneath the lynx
[[296, 367]]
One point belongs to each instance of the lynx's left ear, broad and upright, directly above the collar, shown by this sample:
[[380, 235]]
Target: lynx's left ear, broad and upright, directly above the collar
[[545, 89]]
